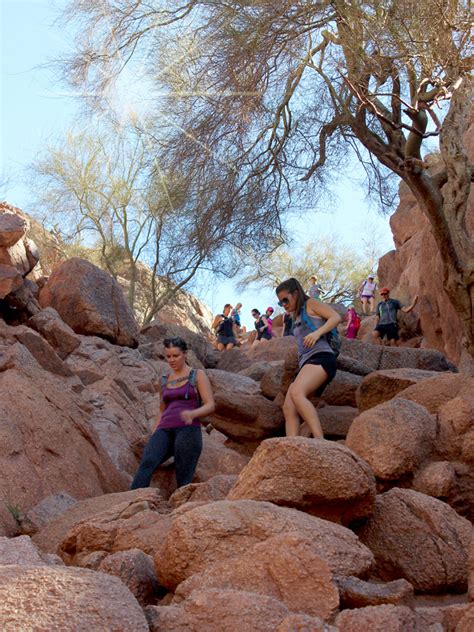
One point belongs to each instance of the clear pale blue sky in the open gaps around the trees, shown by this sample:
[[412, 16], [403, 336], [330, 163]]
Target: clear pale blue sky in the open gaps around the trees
[[35, 109]]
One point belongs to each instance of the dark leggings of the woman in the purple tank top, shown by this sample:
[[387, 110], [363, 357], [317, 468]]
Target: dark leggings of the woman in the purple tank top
[[184, 443]]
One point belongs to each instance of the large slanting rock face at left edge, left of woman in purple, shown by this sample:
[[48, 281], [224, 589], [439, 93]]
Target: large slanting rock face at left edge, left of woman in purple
[[47, 444]]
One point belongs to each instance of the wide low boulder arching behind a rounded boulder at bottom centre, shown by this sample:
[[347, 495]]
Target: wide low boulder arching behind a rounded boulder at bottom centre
[[224, 529]]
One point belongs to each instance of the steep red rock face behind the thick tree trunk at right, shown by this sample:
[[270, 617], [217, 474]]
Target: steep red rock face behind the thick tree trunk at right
[[414, 267]]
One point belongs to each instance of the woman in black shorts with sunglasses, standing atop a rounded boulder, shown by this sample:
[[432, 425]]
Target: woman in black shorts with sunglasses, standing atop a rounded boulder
[[313, 321]]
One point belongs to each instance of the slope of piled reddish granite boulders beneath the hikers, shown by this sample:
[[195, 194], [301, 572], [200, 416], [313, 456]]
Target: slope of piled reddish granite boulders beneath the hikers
[[369, 529]]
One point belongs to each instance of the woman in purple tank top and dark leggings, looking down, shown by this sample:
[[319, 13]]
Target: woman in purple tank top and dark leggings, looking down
[[186, 395]]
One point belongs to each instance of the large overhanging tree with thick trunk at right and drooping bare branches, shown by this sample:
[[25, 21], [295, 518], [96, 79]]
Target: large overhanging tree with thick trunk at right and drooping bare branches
[[283, 91]]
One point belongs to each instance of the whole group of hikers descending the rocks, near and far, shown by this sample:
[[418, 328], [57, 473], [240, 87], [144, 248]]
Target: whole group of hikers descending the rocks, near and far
[[186, 394]]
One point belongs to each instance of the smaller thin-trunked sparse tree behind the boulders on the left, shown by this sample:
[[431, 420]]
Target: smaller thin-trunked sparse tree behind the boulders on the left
[[152, 230]]
